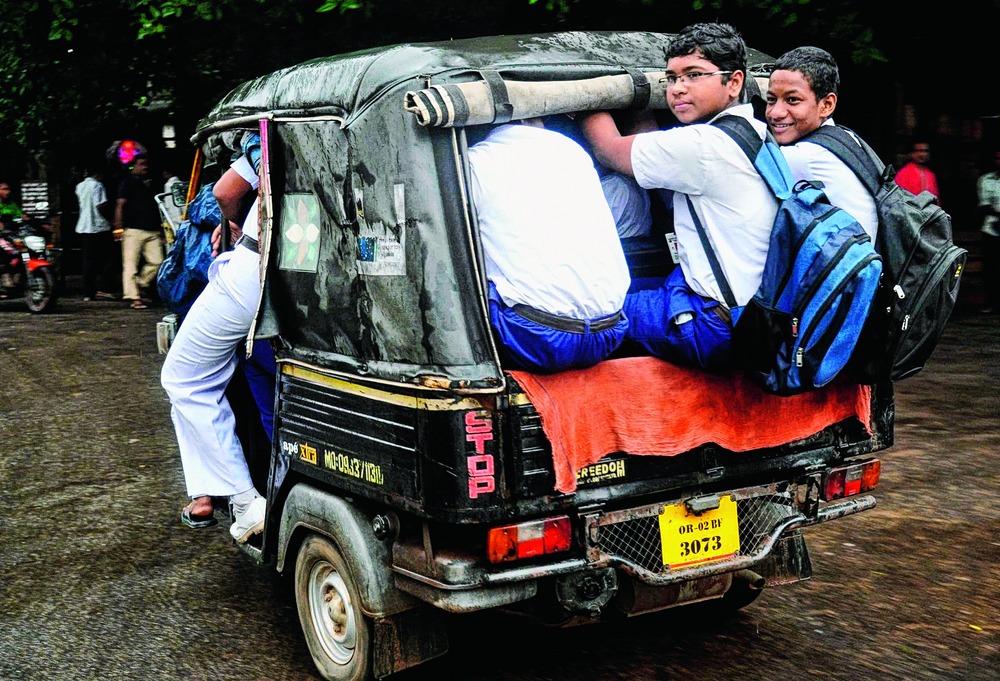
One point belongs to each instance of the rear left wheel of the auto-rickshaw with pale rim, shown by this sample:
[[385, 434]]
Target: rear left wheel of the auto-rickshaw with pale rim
[[338, 634]]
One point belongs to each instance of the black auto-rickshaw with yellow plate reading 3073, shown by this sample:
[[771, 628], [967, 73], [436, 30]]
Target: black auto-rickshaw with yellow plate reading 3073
[[412, 474]]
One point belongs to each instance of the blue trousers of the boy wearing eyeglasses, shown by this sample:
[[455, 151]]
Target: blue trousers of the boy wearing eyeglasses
[[701, 341]]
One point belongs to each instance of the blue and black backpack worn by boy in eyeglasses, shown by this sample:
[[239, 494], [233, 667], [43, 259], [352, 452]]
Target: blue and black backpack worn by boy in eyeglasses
[[820, 277]]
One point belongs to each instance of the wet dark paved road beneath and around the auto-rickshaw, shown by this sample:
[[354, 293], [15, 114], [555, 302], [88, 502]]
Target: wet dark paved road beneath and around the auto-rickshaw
[[99, 580]]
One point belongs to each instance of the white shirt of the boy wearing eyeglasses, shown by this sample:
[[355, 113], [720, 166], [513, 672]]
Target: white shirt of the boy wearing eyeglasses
[[735, 205]]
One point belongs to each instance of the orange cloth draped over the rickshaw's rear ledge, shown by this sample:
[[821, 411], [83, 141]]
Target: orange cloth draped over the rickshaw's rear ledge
[[645, 406]]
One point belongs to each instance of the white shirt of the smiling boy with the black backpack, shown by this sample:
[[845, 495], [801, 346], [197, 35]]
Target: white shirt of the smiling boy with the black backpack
[[809, 161]]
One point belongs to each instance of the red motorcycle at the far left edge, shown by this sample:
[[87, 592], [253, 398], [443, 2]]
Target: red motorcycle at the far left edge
[[29, 263]]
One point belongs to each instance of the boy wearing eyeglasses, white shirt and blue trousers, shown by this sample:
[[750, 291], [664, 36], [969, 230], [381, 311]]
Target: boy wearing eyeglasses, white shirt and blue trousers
[[682, 318]]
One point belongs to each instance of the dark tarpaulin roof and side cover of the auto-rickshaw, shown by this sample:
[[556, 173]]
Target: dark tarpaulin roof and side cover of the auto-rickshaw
[[384, 277]]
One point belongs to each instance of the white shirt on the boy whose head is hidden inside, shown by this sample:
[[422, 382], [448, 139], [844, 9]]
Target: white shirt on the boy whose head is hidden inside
[[549, 239]]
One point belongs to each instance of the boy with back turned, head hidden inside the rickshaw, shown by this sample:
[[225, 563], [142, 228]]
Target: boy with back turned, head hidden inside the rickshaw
[[557, 274]]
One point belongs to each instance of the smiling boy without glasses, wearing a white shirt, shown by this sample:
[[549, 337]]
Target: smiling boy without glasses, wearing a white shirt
[[801, 97]]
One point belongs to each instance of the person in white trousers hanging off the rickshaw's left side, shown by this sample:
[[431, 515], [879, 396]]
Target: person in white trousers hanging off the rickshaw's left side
[[202, 359]]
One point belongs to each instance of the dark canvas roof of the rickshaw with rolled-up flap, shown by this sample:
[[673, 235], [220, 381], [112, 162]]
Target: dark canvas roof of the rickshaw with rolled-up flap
[[617, 69]]
